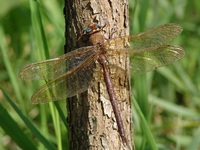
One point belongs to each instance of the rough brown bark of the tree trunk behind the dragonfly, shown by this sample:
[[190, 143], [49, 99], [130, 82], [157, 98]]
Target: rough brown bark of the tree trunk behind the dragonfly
[[91, 121]]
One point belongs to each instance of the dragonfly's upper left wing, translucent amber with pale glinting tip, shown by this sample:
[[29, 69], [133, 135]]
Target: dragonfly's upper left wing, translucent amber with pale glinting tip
[[53, 68]]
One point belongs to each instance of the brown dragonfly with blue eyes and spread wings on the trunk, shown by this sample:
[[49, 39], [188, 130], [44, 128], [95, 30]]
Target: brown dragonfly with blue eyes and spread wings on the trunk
[[71, 73]]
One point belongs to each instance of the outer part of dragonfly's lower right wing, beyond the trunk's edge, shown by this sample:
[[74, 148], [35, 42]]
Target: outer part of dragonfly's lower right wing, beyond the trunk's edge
[[153, 58]]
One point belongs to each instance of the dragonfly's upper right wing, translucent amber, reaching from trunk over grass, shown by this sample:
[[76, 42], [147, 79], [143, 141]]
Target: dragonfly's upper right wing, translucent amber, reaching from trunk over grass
[[151, 38]]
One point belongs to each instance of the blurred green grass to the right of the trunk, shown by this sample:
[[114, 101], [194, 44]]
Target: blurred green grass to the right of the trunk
[[169, 97]]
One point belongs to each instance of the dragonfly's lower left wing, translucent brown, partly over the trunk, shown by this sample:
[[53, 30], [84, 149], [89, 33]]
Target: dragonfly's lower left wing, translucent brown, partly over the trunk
[[73, 82]]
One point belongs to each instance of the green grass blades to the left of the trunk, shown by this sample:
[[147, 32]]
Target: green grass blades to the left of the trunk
[[39, 27]]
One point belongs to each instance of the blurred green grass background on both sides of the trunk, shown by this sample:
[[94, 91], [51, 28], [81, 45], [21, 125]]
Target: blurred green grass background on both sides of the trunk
[[169, 98]]
